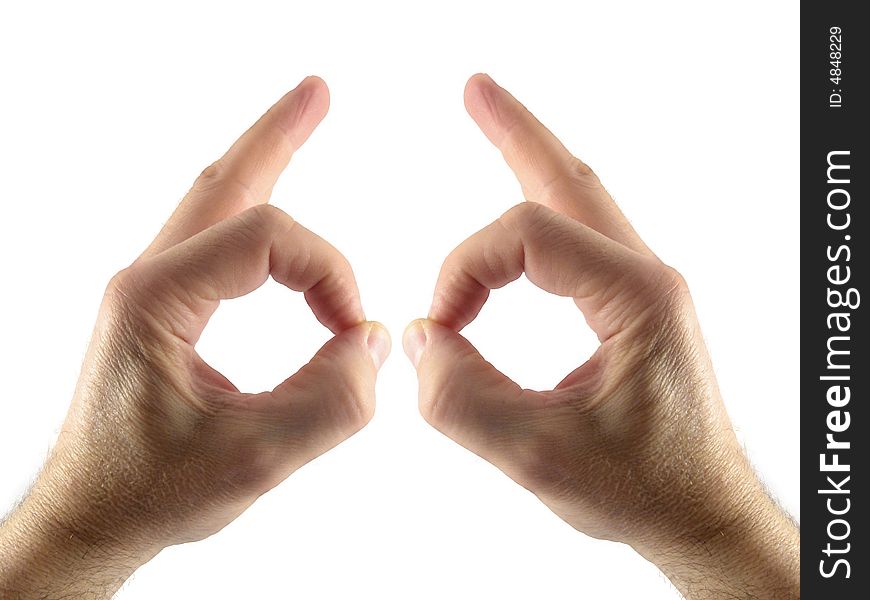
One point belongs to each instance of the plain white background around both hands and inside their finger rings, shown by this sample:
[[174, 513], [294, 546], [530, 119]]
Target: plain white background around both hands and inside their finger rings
[[688, 112]]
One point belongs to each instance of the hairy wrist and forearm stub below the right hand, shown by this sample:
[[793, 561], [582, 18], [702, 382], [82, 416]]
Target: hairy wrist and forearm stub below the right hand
[[754, 556]]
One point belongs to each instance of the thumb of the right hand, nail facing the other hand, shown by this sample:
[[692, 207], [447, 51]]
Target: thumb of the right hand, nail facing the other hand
[[465, 397]]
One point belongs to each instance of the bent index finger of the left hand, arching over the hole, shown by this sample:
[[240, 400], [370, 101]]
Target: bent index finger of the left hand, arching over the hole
[[185, 283]]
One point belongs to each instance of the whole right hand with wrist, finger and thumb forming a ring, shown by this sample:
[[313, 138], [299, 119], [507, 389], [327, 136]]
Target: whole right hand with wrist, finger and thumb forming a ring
[[635, 445]]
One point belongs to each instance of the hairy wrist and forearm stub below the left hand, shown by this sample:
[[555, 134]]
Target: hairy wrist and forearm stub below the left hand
[[43, 555]]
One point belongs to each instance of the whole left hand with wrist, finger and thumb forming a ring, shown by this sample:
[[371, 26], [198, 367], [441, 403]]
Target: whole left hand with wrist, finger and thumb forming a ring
[[158, 448]]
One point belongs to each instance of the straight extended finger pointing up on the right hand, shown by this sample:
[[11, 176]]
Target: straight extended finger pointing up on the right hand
[[548, 173]]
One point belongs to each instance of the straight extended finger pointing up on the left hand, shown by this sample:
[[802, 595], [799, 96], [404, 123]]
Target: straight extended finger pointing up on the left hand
[[245, 175]]
